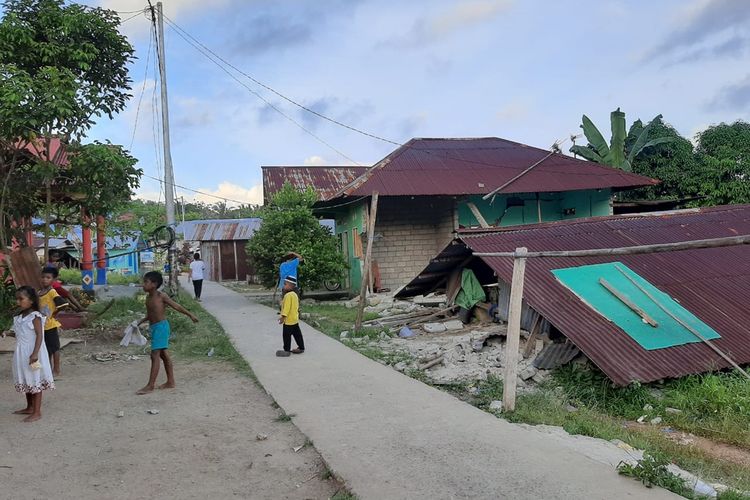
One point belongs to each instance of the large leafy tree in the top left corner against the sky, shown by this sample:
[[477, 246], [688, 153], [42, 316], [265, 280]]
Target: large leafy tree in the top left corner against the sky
[[61, 66]]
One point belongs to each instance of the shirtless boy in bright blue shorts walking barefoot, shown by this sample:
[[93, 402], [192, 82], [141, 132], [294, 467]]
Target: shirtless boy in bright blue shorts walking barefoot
[[156, 309]]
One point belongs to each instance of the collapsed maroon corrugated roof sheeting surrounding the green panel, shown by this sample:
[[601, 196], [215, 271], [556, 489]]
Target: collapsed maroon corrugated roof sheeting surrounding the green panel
[[713, 284]]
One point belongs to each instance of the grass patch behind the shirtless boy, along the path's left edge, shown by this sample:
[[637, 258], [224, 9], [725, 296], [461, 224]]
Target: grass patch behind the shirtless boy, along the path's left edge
[[189, 340]]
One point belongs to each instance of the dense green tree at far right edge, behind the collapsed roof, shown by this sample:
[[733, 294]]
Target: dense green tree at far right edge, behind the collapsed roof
[[723, 154]]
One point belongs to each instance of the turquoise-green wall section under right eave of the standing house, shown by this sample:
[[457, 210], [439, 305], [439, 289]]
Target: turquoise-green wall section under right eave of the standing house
[[516, 209]]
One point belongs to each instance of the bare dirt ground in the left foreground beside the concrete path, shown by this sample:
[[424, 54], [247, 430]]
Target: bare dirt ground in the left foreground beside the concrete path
[[201, 444]]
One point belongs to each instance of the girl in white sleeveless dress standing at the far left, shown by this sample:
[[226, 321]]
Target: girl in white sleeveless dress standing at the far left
[[32, 372]]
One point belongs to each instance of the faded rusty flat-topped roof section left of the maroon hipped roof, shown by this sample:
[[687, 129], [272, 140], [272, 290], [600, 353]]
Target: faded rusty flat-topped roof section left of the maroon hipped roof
[[325, 180]]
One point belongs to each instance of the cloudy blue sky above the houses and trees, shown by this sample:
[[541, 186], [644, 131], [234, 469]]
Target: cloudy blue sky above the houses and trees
[[524, 70]]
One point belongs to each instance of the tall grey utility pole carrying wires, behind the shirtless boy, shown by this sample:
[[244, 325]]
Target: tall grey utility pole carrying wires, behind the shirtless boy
[[168, 171]]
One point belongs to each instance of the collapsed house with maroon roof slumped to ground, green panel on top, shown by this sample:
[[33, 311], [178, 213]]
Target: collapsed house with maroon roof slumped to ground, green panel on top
[[582, 301]]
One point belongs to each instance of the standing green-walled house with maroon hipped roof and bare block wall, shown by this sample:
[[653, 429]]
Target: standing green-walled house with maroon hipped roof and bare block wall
[[430, 188]]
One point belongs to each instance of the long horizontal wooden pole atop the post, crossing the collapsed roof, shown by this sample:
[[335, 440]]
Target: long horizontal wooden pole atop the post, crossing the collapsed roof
[[635, 250]]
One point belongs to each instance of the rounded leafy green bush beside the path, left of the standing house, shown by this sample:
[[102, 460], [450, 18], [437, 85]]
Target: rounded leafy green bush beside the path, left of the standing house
[[290, 226]]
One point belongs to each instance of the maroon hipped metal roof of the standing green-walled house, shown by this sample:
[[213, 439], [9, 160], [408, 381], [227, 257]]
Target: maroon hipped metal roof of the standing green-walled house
[[479, 165]]
